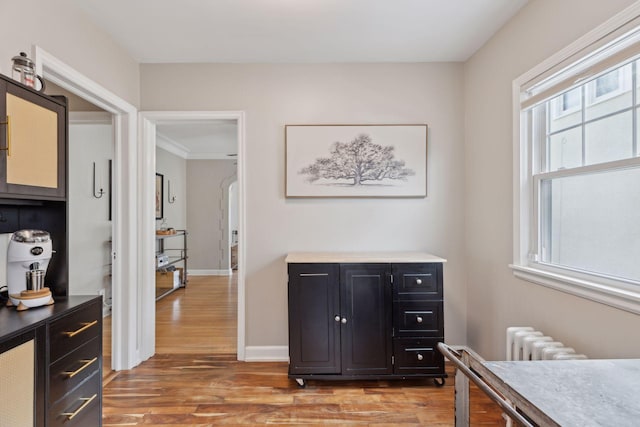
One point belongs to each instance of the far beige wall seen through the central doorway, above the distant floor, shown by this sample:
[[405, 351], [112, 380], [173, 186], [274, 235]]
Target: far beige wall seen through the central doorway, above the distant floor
[[207, 213]]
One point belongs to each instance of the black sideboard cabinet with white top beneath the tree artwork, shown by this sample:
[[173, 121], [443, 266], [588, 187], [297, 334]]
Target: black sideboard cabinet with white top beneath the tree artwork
[[365, 320]]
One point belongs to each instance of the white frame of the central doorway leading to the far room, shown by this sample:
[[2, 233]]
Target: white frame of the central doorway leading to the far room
[[148, 122]]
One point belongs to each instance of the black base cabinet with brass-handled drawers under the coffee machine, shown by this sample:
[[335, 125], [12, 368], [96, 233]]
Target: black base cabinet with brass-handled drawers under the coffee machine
[[59, 382]]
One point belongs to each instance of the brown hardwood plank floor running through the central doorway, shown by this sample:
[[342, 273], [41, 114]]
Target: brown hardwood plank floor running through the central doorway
[[195, 380]]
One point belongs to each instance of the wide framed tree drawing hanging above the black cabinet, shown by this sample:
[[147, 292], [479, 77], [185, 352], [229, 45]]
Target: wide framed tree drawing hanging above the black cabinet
[[356, 160]]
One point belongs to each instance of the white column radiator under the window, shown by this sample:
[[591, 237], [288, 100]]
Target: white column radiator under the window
[[525, 343]]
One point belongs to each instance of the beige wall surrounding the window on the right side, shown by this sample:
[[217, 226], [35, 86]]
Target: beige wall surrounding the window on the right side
[[496, 298]]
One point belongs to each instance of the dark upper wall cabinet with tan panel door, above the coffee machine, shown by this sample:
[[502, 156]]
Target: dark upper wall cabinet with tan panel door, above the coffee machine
[[33, 141]]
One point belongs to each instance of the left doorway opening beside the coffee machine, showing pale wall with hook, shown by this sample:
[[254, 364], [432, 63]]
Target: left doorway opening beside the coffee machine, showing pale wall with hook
[[90, 160]]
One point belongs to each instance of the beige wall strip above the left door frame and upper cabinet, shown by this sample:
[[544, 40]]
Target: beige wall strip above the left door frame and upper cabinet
[[63, 31]]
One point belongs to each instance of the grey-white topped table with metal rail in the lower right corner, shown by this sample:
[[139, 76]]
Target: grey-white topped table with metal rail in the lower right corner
[[568, 393]]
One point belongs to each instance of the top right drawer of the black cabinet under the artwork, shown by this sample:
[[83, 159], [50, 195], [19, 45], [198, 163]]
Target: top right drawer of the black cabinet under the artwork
[[417, 281]]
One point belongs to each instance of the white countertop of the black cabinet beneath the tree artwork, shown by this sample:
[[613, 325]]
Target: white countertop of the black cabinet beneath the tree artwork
[[360, 257]]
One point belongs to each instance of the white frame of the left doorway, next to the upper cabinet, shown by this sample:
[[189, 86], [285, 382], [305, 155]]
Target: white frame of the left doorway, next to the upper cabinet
[[125, 256]]
